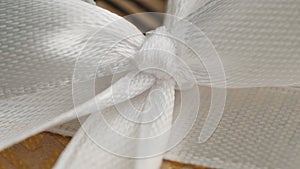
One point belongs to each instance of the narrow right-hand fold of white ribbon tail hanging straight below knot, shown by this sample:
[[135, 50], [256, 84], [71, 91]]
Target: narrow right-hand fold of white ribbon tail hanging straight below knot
[[161, 106]]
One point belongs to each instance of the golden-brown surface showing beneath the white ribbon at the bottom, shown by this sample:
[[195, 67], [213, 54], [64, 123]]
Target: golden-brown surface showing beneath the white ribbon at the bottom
[[42, 150]]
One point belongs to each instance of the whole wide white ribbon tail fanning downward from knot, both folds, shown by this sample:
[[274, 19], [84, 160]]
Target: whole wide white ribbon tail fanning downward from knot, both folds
[[108, 140]]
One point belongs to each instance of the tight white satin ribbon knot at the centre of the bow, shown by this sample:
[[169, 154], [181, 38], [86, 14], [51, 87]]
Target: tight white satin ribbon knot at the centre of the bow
[[157, 56]]
